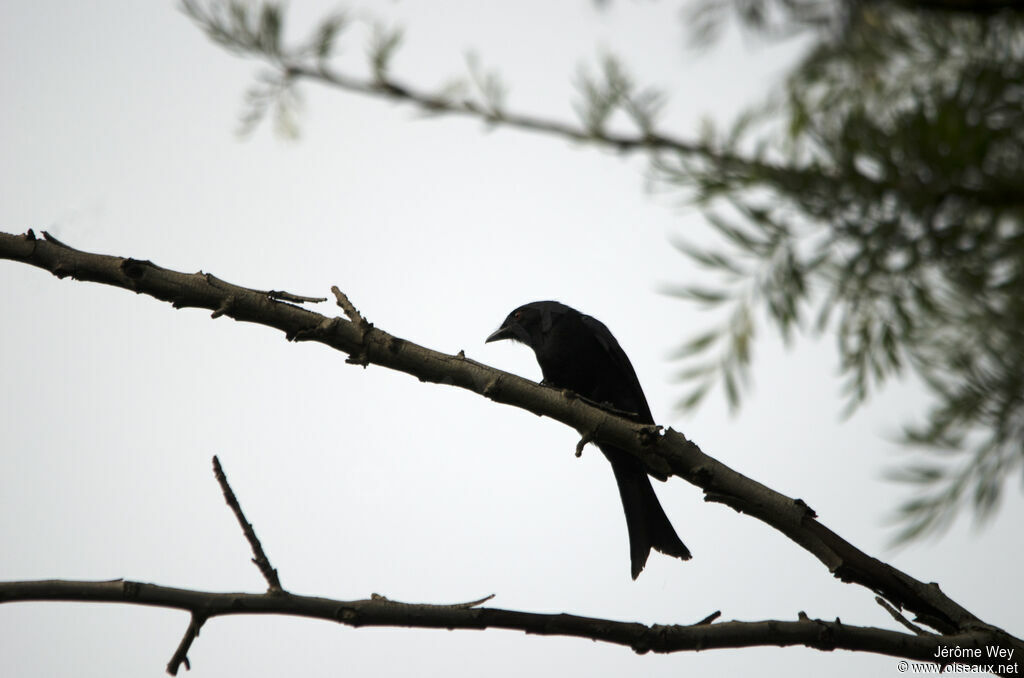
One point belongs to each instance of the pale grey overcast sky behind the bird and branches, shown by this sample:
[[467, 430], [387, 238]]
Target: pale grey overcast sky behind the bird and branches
[[117, 132]]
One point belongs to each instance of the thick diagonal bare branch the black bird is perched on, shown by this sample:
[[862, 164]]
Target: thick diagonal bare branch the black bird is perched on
[[665, 453]]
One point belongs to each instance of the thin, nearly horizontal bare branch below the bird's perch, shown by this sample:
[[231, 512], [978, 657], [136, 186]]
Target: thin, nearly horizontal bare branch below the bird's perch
[[378, 611]]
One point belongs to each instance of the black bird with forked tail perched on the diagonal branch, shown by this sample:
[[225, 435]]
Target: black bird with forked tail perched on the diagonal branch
[[578, 353]]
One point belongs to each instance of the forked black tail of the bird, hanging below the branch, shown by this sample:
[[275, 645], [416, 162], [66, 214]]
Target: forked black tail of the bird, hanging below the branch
[[646, 520]]
